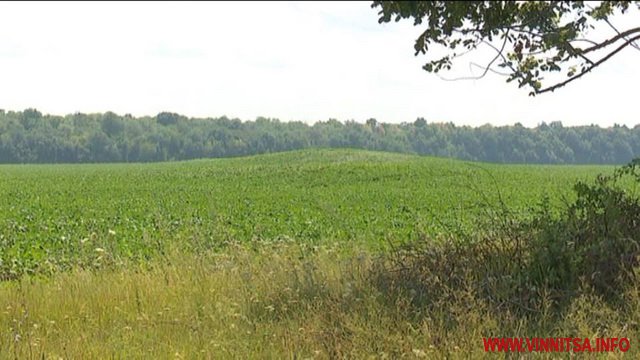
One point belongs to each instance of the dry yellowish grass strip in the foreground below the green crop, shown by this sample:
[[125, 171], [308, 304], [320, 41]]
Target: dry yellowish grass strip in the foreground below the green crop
[[277, 302]]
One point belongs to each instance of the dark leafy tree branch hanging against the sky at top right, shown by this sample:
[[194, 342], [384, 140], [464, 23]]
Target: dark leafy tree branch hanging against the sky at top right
[[531, 40]]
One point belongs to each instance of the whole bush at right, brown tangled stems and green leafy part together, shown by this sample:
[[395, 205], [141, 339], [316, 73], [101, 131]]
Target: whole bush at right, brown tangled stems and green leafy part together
[[534, 266]]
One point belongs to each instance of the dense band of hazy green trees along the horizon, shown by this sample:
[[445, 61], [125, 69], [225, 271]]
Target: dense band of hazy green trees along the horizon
[[30, 137]]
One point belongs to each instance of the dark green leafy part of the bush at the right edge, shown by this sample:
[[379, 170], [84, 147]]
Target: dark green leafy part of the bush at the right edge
[[595, 242]]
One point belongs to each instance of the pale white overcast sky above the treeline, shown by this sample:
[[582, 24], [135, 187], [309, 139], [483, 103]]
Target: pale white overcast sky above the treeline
[[295, 61]]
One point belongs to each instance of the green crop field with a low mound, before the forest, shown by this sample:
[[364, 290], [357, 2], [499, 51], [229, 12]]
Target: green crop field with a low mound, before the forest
[[55, 216]]
